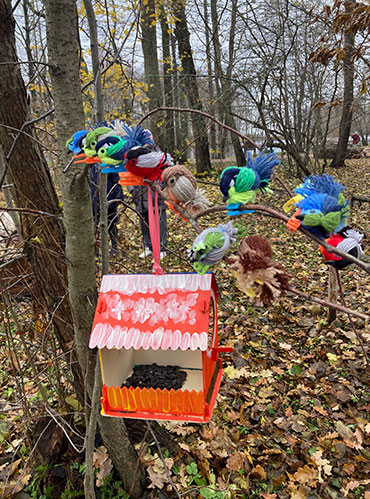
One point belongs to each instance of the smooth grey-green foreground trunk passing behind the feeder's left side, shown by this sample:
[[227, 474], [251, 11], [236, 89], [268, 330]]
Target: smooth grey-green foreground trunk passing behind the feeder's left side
[[63, 49]]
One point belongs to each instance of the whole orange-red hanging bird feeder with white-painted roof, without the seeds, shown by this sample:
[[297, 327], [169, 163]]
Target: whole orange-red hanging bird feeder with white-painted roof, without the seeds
[[162, 319]]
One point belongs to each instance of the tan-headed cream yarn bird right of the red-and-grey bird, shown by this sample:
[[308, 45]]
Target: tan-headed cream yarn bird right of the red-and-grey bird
[[182, 188]]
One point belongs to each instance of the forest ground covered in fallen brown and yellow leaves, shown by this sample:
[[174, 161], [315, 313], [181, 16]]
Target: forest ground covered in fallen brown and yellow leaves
[[292, 415]]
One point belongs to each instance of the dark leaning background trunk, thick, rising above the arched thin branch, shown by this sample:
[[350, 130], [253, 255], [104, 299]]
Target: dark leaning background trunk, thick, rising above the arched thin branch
[[202, 159]]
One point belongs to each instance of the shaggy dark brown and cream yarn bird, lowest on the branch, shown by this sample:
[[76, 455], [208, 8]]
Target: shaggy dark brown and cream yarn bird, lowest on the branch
[[258, 276]]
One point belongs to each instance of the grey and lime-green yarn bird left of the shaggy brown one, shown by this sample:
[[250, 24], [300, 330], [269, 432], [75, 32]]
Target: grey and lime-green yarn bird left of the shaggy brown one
[[211, 245]]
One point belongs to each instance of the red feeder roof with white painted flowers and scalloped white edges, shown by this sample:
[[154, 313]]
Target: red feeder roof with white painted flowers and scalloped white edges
[[168, 311]]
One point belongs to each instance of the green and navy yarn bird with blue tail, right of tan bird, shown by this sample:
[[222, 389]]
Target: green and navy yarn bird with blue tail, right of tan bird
[[240, 185]]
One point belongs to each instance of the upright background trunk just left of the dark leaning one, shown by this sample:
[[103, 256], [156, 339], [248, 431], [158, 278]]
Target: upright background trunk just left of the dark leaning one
[[151, 68]]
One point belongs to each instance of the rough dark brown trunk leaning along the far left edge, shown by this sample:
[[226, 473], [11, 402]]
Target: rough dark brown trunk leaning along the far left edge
[[33, 188]]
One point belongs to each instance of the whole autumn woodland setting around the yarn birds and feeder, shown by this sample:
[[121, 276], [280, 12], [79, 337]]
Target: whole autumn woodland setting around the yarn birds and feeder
[[292, 414]]
